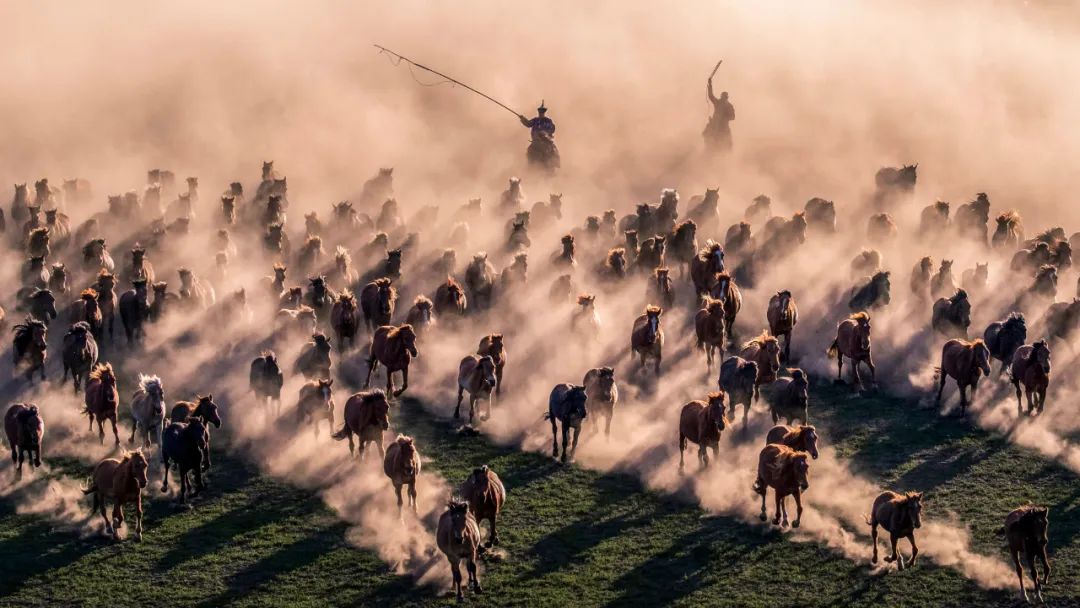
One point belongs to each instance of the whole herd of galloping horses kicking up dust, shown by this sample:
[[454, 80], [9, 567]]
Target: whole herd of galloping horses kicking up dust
[[328, 306]]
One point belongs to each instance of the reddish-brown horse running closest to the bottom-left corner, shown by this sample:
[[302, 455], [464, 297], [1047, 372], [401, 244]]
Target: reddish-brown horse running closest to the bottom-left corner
[[124, 482]]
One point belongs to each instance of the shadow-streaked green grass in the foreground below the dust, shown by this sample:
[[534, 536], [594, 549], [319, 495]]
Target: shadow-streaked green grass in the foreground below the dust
[[572, 536]]
